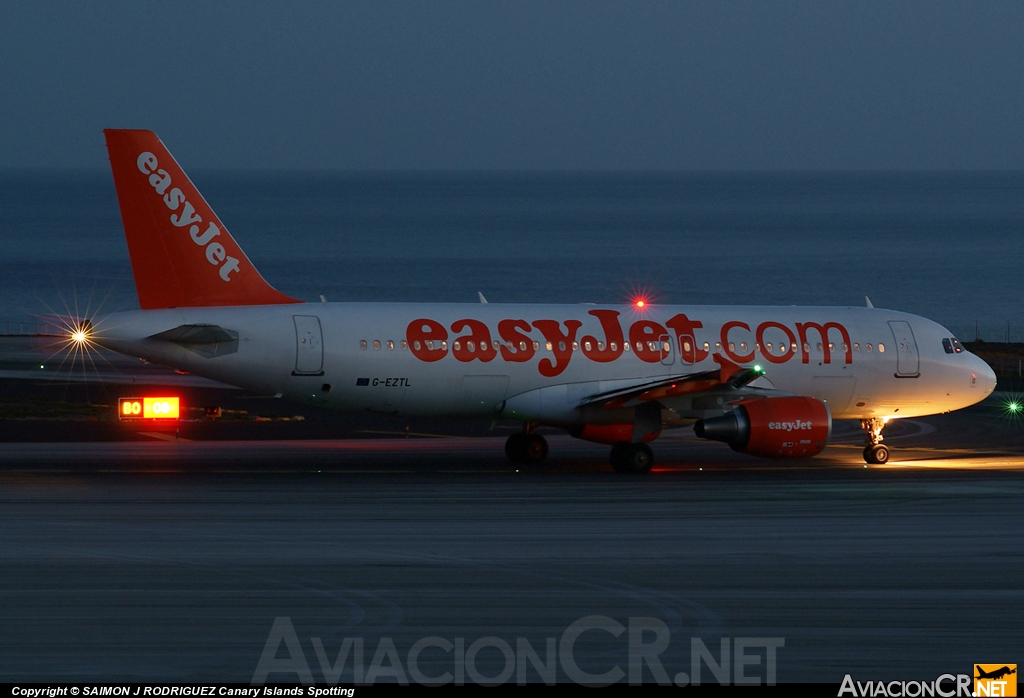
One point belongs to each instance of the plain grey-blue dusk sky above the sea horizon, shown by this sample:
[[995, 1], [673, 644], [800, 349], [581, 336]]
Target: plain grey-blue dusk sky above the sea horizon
[[520, 85]]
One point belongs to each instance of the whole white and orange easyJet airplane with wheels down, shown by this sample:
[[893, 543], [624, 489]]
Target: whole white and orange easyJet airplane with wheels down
[[767, 381]]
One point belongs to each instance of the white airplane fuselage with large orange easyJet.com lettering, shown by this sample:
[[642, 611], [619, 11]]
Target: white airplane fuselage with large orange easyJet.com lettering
[[375, 357]]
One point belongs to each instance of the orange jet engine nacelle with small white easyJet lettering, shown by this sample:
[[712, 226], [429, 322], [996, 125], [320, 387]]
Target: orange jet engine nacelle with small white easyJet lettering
[[773, 427]]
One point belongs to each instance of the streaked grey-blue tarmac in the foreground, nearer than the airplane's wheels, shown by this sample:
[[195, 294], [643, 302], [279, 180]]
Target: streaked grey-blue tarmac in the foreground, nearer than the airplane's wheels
[[884, 574]]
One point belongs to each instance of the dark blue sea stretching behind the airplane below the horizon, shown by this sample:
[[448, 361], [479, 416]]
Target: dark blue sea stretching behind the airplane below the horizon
[[947, 246]]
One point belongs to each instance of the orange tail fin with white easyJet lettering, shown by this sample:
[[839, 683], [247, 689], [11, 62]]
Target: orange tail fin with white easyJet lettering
[[182, 254]]
